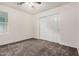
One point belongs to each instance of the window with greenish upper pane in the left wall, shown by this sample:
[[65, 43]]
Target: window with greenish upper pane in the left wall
[[3, 21]]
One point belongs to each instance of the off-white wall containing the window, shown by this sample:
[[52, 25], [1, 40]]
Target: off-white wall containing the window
[[19, 25]]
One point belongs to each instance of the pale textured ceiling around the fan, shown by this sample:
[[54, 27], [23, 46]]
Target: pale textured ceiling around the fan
[[37, 8]]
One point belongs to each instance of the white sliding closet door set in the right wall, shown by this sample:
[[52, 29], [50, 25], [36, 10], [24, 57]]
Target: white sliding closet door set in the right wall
[[49, 28]]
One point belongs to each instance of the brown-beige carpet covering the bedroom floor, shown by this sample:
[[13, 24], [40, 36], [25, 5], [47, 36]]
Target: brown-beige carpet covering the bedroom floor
[[34, 47]]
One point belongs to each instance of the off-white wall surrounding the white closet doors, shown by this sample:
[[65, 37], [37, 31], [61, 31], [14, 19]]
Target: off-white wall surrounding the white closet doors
[[67, 23]]
